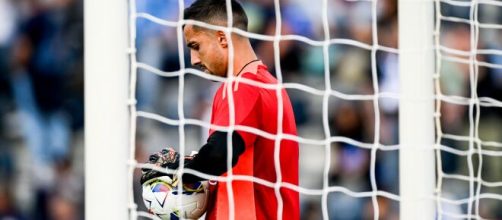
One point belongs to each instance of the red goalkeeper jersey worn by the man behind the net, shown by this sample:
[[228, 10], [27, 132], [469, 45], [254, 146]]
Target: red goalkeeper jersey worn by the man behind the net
[[257, 107]]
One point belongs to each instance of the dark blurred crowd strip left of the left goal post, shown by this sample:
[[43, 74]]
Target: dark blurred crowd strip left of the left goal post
[[41, 105]]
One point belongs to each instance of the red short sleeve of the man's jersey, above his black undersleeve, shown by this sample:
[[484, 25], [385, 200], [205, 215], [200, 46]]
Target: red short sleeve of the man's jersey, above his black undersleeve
[[245, 102]]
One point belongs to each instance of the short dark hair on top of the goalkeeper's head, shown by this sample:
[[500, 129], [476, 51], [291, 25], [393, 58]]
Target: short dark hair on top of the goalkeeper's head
[[215, 11]]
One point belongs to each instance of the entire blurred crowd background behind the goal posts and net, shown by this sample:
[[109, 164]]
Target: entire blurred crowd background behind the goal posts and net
[[41, 101]]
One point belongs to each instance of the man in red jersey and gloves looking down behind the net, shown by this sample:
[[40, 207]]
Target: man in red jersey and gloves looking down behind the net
[[254, 107]]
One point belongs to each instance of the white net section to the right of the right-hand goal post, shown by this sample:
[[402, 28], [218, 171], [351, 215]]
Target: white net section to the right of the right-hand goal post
[[476, 198]]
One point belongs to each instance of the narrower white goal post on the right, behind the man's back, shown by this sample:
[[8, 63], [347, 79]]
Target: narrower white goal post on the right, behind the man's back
[[416, 109]]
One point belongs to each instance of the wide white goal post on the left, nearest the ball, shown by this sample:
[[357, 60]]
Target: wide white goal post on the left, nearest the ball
[[106, 109]]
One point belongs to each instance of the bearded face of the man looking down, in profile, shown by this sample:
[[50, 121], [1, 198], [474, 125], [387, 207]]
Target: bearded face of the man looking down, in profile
[[208, 51]]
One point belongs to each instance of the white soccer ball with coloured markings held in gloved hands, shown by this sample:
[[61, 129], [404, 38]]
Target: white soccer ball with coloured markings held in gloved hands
[[161, 199]]
